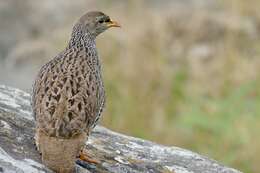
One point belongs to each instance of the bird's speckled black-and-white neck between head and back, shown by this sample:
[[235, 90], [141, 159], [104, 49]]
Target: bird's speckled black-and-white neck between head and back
[[81, 39]]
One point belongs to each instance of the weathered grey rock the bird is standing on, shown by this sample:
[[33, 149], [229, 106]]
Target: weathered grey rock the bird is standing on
[[115, 152]]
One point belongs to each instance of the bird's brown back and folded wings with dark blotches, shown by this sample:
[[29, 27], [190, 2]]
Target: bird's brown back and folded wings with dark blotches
[[68, 93]]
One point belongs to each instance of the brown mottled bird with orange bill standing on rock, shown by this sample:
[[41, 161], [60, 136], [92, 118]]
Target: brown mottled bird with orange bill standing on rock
[[68, 95]]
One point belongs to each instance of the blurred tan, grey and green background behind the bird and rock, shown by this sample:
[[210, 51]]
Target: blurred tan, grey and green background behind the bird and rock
[[179, 72]]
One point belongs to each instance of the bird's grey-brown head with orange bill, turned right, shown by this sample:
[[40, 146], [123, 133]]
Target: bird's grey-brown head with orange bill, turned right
[[96, 22]]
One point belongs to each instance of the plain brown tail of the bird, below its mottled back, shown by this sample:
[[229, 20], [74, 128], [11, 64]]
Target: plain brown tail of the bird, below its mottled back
[[59, 154]]
